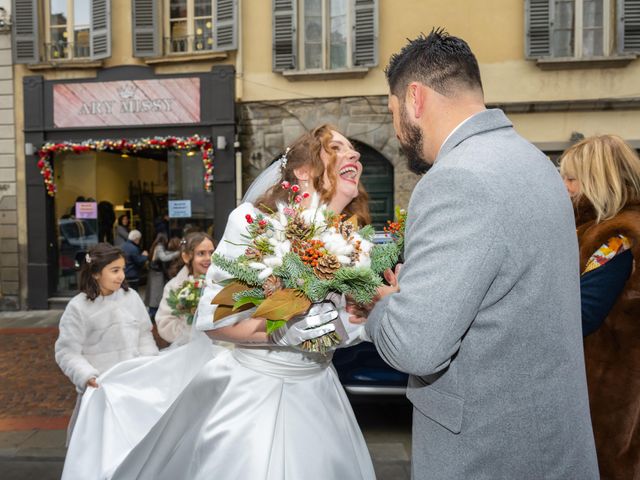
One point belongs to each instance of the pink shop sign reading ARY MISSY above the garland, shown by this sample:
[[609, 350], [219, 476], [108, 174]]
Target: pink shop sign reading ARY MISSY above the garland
[[129, 102]]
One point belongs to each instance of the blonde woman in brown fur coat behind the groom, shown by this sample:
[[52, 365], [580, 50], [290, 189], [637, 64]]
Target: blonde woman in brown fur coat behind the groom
[[602, 176]]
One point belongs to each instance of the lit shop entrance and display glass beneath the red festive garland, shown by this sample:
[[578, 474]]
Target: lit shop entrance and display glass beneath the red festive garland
[[103, 195]]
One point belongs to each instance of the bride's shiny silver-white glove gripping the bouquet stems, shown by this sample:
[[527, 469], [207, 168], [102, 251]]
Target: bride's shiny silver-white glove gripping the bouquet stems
[[313, 324]]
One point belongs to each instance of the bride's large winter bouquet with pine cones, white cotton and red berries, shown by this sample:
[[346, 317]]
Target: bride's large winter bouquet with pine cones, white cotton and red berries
[[296, 256]]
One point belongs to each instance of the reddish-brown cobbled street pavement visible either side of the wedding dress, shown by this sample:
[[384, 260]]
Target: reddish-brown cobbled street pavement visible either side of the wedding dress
[[36, 400]]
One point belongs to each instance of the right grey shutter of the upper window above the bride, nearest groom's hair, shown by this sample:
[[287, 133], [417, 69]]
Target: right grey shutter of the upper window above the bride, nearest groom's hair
[[365, 33]]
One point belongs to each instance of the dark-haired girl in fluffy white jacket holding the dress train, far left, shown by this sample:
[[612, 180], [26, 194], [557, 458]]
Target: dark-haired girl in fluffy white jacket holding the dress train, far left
[[104, 324]]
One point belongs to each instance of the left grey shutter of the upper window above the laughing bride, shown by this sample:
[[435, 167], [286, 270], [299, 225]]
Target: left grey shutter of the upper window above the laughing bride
[[284, 35]]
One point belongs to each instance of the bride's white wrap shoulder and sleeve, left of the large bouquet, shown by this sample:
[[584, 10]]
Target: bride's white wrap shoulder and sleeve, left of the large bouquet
[[232, 245]]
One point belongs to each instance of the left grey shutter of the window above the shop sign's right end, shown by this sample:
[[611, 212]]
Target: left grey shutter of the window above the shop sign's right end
[[146, 28]]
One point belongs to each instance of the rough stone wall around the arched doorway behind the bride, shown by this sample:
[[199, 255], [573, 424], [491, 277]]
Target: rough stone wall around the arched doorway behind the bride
[[266, 128]]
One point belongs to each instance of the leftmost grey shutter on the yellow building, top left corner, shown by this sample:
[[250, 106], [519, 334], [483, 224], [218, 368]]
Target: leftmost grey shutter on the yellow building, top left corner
[[25, 31]]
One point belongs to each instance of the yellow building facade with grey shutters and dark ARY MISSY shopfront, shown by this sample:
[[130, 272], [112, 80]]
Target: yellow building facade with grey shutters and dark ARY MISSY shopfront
[[267, 70]]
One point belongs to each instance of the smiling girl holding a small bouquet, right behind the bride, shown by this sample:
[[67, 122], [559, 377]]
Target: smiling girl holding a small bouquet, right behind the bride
[[194, 260]]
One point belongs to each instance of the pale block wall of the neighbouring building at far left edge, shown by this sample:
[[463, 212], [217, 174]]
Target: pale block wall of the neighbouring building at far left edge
[[9, 278]]
